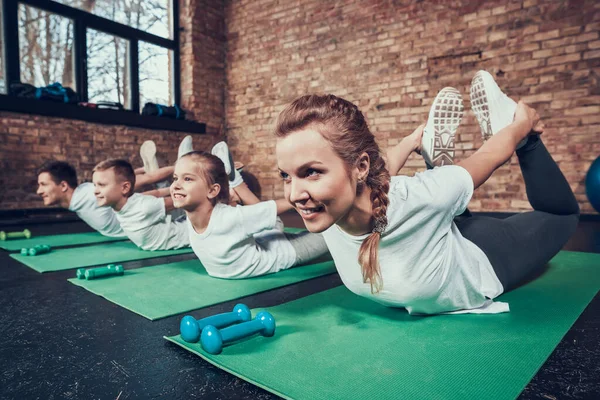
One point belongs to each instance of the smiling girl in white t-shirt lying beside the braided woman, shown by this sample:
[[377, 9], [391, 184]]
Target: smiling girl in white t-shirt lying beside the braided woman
[[235, 242]]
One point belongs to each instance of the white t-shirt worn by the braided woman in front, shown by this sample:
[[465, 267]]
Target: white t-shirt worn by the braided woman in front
[[427, 266]]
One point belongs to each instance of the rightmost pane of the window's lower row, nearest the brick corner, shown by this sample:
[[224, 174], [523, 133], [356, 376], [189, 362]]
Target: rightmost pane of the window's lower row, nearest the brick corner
[[155, 74]]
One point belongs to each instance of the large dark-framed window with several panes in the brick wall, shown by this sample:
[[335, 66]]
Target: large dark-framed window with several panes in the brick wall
[[106, 50]]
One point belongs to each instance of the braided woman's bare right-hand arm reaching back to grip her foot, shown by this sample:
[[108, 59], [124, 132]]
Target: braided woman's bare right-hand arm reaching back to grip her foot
[[500, 147]]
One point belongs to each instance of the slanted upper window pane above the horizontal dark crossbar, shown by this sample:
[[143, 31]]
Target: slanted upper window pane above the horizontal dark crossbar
[[152, 16]]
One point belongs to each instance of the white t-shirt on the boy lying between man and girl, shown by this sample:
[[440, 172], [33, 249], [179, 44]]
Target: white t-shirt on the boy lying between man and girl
[[144, 220]]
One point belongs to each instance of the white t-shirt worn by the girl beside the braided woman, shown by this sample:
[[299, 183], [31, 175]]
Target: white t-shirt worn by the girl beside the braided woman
[[242, 241]]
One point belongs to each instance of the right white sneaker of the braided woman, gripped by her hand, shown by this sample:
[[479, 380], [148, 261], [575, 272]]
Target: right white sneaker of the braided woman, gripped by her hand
[[493, 109]]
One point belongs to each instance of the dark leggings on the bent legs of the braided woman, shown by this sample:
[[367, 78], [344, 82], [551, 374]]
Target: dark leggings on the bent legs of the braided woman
[[519, 246]]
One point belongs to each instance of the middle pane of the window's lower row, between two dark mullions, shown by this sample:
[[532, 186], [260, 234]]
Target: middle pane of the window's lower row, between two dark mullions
[[107, 68]]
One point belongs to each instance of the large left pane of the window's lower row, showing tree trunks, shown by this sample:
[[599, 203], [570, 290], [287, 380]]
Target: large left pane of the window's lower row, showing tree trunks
[[45, 47]]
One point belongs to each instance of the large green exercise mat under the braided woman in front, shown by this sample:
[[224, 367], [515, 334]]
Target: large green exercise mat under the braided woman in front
[[336, 345]]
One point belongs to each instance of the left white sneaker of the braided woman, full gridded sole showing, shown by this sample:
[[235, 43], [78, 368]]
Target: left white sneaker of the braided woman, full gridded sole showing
[[445, 115]]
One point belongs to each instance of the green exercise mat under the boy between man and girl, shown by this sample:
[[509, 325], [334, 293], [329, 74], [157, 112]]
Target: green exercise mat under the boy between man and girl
[[77, 257]]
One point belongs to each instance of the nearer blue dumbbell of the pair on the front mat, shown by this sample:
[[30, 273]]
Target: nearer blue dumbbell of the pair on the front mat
[[213, 339]]
